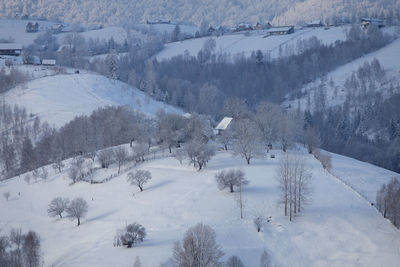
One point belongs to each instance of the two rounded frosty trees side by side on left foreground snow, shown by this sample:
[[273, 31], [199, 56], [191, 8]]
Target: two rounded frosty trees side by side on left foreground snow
[[75, 209]]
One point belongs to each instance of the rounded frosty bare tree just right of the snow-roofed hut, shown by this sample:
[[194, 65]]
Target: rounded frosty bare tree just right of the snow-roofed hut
[[247, 143]]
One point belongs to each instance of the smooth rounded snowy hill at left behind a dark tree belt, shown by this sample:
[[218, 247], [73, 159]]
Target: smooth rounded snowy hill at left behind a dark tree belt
[[58, 99]]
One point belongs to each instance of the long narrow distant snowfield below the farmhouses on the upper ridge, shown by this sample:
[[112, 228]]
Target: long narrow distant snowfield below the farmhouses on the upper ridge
[[240, 43]]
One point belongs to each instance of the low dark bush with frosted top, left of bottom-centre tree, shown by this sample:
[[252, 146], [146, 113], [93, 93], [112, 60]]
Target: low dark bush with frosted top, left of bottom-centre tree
[[132, 234]]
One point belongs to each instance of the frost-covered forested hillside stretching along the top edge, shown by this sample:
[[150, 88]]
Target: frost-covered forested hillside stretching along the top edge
[[216, 12]]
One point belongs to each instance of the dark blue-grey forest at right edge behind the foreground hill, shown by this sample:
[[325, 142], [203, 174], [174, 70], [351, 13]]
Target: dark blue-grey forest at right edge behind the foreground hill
[[372, 134]]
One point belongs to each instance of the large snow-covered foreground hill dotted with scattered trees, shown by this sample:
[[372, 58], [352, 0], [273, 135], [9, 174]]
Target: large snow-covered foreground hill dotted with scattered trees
[[338, 228]]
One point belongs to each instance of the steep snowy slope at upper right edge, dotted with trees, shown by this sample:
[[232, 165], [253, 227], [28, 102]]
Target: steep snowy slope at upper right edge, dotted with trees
[[389, 58]]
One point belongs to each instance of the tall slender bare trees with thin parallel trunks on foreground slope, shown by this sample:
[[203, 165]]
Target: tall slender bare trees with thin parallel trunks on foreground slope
[[294, 178]]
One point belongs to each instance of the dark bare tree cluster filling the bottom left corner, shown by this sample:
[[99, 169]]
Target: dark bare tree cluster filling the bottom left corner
[[20, 250]]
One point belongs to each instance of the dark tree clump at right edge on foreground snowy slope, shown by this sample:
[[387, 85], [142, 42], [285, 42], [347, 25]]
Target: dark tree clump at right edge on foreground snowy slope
[[388, 201]]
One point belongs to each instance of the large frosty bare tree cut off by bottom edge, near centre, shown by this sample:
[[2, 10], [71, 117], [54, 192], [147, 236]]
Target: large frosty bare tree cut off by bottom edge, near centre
[[199, 248]]
